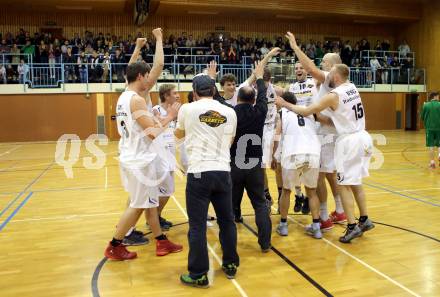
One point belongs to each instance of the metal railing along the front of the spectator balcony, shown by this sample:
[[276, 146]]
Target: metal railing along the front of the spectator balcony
[[55, 75]]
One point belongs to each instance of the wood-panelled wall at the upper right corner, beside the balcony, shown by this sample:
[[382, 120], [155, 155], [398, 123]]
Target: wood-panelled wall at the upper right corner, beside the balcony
[[424, 38]]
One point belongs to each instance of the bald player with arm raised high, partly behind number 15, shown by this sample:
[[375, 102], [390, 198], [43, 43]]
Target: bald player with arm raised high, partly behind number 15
[[327, 134]]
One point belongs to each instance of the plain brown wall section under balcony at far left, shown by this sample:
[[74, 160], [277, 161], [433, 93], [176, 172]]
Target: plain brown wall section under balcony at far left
[[46, 117]]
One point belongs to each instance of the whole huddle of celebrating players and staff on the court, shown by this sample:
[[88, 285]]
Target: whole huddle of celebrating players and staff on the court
[[314, 131]]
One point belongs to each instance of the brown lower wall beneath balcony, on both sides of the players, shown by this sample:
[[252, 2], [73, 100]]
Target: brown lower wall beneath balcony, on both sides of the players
[[47, 117]]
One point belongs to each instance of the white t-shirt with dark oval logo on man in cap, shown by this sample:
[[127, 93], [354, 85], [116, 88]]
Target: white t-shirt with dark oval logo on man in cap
[[209, 130]]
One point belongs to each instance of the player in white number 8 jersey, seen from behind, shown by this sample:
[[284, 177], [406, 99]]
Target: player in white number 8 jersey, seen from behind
[[299, 161]]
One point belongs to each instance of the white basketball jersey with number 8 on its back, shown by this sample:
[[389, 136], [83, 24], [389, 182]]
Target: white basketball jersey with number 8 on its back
[[298, 134]]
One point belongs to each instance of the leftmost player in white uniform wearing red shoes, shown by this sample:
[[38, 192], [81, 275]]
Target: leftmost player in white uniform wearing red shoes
[[138, 159]]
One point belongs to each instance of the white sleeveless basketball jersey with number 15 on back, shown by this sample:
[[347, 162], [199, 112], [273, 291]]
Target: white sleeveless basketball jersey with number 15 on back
[[349, 117]]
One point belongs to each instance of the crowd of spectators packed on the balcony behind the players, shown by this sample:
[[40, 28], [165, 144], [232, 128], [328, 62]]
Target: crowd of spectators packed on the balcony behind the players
[[90, 56]]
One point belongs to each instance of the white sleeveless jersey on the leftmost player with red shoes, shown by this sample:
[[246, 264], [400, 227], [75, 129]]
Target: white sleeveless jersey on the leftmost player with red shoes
[[135, 149]]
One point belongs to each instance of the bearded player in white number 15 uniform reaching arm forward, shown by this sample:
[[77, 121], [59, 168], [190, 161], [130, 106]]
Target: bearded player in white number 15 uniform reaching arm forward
[[353, 146]]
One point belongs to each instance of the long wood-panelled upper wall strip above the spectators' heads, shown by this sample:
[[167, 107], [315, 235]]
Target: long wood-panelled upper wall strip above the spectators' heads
[[122, 25]]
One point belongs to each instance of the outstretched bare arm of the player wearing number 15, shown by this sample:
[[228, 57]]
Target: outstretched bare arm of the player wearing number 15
[[330, 100]]
